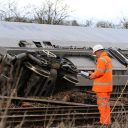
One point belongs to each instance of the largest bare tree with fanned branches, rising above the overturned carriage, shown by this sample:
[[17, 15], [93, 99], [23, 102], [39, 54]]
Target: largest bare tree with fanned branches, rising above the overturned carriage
[[51, 12]]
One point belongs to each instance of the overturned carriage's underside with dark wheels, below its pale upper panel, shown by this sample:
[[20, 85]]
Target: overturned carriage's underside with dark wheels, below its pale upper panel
[[46, 72]]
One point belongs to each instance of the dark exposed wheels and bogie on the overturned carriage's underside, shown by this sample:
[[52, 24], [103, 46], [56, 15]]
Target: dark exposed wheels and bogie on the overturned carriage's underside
[[35, 72]]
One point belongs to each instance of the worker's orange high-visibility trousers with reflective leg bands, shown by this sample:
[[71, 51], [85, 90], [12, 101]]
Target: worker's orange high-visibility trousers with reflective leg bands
[[103, 102]]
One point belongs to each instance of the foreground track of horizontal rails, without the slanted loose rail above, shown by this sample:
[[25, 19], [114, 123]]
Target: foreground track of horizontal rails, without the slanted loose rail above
[[44, 115]]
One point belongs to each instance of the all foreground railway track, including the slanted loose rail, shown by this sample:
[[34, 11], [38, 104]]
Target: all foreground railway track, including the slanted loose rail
[[53, 113]]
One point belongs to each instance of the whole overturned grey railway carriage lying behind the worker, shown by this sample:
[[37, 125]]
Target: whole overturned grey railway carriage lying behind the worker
[[44, 59]]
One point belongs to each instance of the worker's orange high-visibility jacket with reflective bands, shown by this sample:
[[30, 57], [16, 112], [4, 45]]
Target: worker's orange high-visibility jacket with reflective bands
[[103, 74]]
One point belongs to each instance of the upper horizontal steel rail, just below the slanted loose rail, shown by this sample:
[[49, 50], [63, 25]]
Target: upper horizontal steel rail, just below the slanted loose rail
[[88, 108]]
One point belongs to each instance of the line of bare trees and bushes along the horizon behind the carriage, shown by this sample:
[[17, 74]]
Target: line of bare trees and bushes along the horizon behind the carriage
[[49, 12]]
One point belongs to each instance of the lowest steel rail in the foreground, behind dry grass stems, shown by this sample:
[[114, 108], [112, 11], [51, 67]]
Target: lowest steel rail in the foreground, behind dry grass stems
[[82, 117]]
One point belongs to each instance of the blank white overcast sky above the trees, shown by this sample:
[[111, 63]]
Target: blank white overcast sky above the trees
[[108, 10]]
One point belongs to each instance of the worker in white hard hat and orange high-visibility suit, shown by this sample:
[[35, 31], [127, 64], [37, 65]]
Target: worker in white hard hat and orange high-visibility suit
[[102, 84]]
